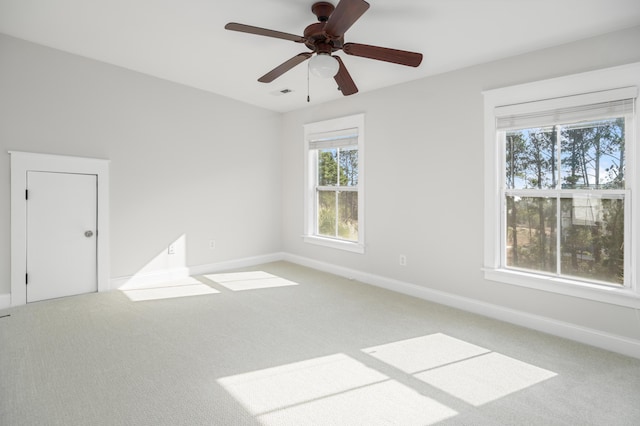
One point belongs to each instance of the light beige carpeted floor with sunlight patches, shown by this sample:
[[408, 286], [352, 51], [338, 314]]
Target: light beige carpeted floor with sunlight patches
[[281, 344]]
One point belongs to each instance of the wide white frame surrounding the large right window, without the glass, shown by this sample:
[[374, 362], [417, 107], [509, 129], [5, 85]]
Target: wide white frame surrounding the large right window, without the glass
[[594, 86]]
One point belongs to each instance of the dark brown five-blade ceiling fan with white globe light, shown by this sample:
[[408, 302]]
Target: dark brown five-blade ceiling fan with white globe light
[[327, 36]]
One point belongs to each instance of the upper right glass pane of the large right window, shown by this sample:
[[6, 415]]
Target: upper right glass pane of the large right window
[[593, 155]]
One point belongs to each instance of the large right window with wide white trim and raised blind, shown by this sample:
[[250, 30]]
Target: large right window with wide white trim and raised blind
[[561, 167]]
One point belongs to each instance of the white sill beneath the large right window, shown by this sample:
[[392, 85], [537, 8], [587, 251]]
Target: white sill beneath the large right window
[[605, 294]]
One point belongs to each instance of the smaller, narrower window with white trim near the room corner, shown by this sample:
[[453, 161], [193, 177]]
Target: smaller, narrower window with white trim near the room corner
[[334, 195]]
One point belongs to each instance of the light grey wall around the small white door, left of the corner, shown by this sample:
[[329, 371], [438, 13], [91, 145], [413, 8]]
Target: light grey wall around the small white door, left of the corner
[[183, 161]]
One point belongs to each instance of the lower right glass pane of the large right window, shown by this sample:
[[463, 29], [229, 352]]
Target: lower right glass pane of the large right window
[[592, 243]]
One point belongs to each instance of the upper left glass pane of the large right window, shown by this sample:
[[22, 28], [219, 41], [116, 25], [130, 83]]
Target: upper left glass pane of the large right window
[[531, 158]]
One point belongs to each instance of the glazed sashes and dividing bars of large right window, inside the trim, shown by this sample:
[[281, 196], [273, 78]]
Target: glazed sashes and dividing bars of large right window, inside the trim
[[564, 200]]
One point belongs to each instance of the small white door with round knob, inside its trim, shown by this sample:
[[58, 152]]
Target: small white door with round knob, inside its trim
[[61, 235]]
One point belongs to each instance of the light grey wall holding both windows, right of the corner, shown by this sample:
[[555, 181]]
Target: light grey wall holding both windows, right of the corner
[[424, 180]]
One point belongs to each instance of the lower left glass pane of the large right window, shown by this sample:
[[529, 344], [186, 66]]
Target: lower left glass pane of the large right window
[[531, 233]]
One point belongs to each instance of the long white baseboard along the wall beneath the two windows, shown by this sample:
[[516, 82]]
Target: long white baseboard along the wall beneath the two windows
[[608, 341]]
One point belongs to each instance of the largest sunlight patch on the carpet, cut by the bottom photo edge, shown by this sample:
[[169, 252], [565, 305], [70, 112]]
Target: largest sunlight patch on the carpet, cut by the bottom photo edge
[[335, 389]]
